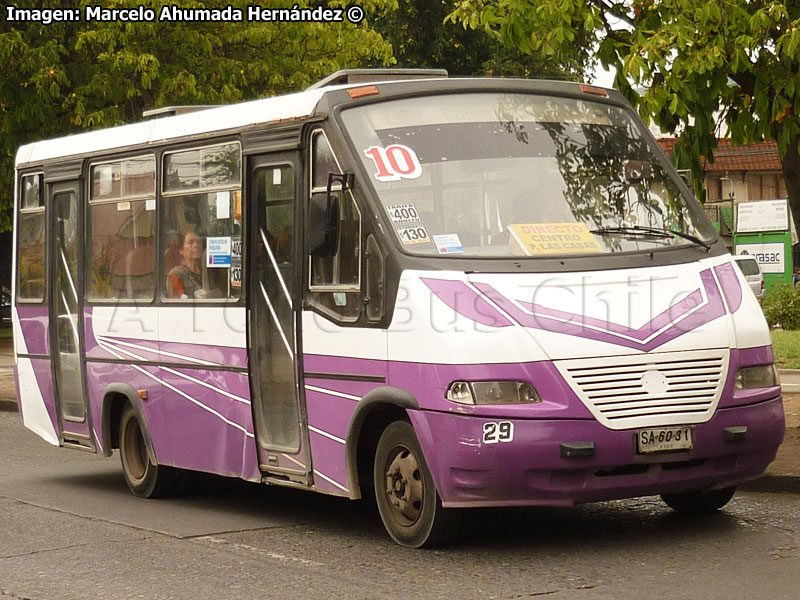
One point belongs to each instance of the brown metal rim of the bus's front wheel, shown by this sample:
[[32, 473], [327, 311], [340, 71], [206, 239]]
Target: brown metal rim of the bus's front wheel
[[404, 488]]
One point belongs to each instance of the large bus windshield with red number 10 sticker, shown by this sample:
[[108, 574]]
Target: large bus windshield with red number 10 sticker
[[509, 174]]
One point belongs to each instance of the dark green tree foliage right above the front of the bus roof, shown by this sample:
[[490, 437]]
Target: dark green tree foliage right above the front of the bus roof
[[421, 38]]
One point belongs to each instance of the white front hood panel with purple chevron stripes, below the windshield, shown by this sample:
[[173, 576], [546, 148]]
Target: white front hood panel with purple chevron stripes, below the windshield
[[620, 312]]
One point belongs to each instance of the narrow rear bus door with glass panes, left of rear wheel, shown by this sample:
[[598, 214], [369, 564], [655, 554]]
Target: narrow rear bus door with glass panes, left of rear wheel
[[65, 323]]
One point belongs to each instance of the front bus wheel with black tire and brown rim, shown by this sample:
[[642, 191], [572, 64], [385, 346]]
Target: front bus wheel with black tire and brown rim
[[407, 500]]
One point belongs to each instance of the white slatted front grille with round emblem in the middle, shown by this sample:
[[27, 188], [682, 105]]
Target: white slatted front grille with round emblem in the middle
[[684, 387]]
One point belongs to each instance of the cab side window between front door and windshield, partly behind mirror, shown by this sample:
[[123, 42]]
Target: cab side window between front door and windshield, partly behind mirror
[[335, 281]]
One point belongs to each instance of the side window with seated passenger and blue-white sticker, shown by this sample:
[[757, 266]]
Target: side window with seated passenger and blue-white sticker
[[202, 223]]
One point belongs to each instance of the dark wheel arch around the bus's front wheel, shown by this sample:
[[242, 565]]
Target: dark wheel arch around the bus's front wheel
[[375, 412]]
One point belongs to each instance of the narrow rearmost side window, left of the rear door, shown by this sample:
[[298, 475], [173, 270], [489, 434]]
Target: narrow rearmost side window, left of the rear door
[[31, 267]]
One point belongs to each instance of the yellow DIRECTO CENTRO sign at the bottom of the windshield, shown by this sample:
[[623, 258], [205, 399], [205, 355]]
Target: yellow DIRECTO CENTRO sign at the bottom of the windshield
[[530, 239]]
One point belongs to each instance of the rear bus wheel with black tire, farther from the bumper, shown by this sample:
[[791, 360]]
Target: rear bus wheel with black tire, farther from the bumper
[[145, 479]]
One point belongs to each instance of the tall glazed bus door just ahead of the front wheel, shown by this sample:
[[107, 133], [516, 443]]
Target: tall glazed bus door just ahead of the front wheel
[[274, 190]]
